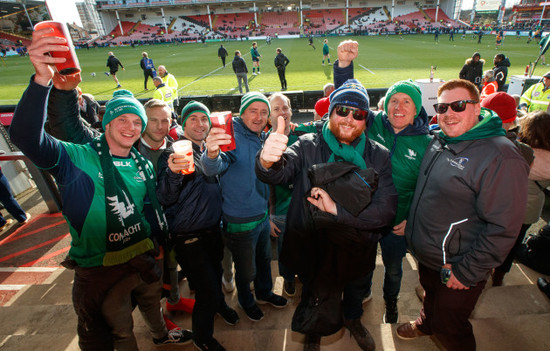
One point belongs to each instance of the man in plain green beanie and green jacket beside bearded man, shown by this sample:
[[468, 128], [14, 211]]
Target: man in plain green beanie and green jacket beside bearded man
[[403, 129]]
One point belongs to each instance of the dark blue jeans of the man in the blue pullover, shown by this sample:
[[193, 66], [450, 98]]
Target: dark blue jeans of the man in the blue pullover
[[251, 252]]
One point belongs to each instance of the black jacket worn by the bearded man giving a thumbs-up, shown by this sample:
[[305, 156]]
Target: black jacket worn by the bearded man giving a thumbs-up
[[314, 248]]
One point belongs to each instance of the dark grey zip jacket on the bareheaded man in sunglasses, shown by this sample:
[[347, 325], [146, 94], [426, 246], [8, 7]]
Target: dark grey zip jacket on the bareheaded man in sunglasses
[[470, 199]]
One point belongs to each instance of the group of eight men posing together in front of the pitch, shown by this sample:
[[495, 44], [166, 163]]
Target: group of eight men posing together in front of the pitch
[[443, 197]]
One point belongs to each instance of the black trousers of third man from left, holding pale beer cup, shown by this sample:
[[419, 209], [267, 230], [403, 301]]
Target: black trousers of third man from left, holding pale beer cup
[[201, 255]]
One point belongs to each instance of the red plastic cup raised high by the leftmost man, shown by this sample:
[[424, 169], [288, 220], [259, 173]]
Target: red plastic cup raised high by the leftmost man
[[71, 65]]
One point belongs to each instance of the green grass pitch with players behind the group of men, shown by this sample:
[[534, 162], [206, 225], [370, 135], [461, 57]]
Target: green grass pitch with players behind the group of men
[[382, 61]]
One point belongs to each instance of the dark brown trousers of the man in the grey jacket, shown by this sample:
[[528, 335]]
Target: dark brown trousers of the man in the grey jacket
[[445, 311]]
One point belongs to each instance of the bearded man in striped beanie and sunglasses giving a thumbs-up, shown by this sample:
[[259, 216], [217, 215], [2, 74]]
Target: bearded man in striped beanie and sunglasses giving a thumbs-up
[[332, 250]]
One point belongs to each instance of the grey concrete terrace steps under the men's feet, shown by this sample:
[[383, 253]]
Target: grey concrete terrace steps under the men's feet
[[512, 317]]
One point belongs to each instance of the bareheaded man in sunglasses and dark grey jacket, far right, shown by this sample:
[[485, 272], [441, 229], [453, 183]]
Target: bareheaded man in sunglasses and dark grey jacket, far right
[[461, 222]]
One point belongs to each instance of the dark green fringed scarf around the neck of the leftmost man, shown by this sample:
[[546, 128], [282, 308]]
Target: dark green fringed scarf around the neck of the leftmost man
[[123, 220]]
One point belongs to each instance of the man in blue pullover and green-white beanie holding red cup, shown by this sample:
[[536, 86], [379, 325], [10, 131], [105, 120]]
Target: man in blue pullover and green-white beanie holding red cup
[[245, 203]]
